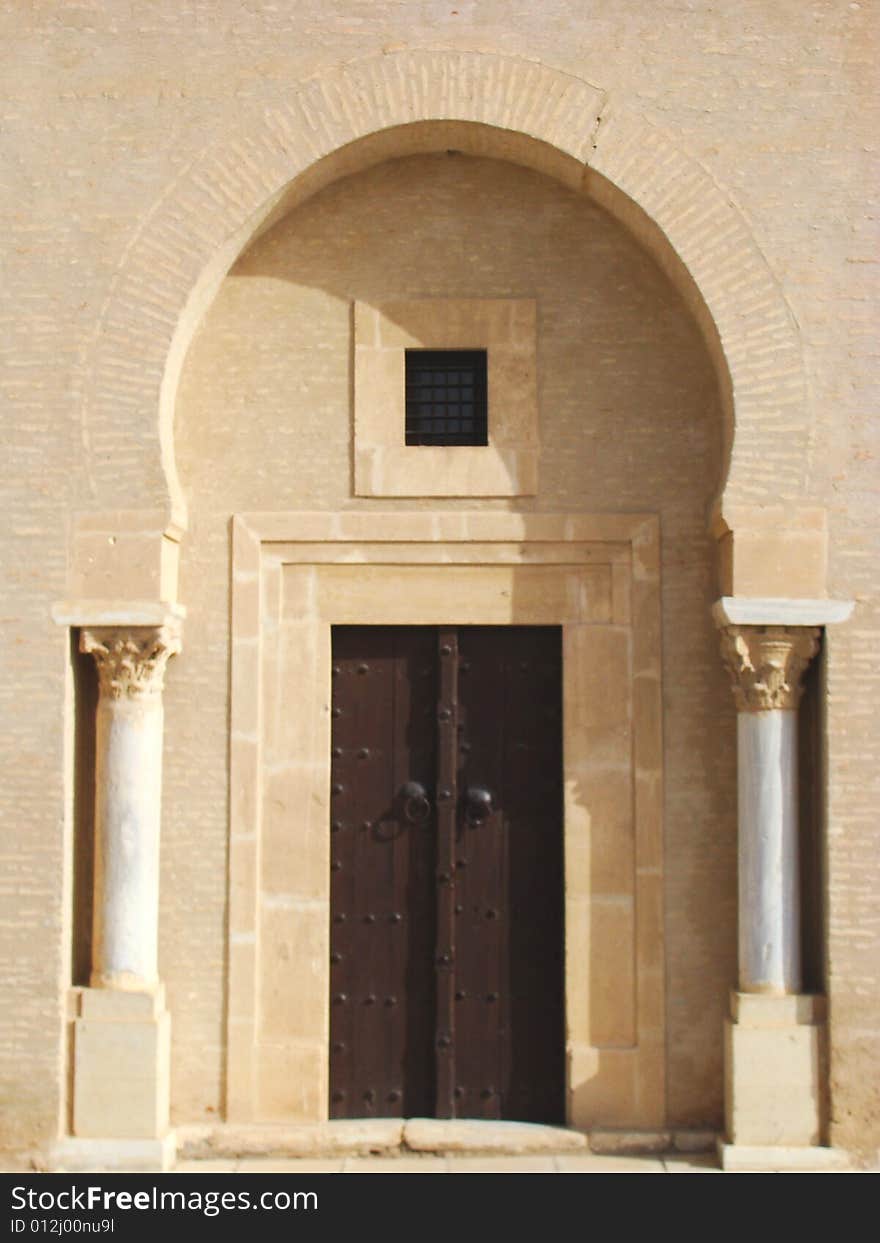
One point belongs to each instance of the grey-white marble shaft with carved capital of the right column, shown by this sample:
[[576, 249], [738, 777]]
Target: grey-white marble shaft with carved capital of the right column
[[766, 664]]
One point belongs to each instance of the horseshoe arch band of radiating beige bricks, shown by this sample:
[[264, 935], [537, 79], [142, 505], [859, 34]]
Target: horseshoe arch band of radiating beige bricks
[[209, 214]]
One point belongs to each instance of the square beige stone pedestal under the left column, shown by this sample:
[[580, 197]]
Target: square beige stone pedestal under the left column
[[121, 1066]]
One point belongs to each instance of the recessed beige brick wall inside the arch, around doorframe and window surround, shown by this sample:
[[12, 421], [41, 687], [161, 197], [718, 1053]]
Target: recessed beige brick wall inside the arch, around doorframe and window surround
[[628, 422]]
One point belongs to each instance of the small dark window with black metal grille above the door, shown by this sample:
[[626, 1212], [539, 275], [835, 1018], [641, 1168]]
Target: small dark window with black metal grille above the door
[[447, 397]]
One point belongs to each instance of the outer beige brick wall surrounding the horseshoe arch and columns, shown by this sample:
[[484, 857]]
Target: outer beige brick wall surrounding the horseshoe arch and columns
[[103, 110]]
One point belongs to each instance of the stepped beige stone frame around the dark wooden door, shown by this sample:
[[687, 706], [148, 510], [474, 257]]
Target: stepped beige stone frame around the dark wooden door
[[298, 575]]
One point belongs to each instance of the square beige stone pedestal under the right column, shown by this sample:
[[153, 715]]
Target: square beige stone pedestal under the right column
[[775, 1073]]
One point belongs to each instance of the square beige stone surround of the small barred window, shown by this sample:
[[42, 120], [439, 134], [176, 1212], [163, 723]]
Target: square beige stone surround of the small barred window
[[383, 464]]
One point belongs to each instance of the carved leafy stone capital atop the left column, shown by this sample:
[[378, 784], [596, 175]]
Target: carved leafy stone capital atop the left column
[[131, 659]]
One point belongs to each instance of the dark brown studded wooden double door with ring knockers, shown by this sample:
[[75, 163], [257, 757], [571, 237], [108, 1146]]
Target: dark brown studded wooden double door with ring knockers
[[447, 873]]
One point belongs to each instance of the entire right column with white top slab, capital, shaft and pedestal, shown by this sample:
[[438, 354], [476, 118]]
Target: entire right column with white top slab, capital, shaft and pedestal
[[776, 1047]]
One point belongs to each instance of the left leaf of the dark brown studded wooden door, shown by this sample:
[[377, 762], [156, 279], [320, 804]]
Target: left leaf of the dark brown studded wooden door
[[382, 873]]
